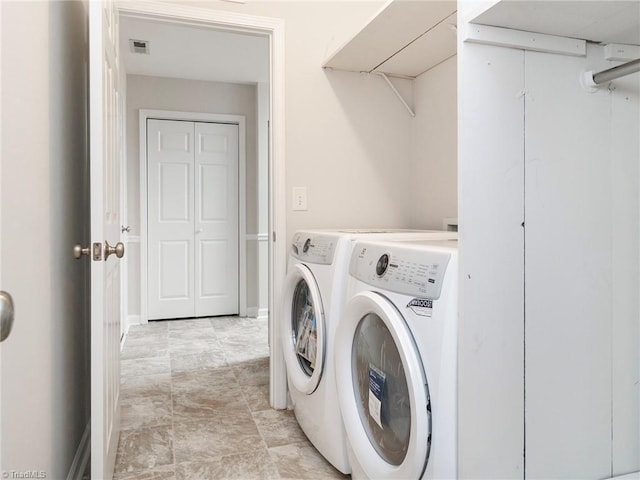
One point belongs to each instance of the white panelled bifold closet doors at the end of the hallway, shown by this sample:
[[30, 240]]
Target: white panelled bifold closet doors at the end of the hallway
[[192, 219]]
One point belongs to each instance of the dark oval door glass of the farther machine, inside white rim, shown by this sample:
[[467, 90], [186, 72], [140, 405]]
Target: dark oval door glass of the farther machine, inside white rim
[[304, 327]]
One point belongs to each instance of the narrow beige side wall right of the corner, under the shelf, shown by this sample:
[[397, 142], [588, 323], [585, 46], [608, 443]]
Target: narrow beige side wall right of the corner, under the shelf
[[434, 147]]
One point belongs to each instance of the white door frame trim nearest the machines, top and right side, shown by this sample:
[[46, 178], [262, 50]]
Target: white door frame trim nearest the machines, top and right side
[[273, 29]]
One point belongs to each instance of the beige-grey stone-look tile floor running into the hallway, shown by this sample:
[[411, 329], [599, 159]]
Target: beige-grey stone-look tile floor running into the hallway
[[195, 405]]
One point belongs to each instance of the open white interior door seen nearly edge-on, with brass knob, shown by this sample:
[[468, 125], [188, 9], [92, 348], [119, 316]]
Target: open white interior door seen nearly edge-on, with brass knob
[[105, 227]]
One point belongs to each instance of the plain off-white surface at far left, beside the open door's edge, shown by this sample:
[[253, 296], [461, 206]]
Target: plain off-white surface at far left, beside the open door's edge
[[45, 378]]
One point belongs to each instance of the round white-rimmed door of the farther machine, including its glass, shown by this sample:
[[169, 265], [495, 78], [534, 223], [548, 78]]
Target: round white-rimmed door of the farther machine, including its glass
[[303, 330]]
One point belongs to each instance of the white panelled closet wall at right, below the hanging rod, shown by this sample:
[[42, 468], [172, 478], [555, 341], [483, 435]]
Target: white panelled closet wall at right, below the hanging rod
[[550, 227]]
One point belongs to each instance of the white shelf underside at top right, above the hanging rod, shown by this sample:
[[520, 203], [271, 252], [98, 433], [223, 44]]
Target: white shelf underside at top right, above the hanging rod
[[603, 21]]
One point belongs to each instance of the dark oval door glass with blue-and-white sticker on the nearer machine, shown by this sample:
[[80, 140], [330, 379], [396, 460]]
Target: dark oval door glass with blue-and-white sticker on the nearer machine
[[381, 390]]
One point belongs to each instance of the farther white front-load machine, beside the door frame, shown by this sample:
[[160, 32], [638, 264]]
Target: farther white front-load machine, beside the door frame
[[313, 301]]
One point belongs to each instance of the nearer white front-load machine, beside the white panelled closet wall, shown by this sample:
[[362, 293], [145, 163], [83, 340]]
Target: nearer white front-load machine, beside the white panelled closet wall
[[396, 360]]
